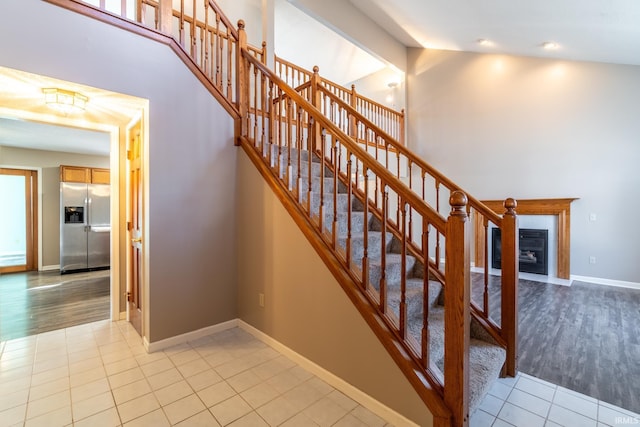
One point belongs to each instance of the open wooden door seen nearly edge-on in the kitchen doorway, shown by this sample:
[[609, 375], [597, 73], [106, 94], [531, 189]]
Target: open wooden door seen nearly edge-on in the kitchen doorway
[[134, 225]]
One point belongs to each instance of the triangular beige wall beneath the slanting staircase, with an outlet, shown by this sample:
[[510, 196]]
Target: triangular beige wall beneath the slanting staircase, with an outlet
[[305, 308]]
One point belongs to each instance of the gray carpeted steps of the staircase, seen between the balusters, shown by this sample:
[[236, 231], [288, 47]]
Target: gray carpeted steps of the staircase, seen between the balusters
[[352, 225]]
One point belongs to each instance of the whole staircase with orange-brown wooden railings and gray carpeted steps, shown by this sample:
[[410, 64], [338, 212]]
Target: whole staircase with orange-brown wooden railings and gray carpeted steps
[[394, 232]]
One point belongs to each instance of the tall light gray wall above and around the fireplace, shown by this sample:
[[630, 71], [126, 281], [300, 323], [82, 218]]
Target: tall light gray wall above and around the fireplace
[[506, 126]]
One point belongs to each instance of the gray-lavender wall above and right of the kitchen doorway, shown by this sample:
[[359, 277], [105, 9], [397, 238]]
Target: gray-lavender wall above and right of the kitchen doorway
[[191, 223]]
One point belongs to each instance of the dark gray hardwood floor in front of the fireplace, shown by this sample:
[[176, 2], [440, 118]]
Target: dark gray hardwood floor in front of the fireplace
[[583, 337]]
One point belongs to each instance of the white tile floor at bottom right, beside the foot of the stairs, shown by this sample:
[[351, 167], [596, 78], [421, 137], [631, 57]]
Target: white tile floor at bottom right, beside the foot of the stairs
[[526, 401]]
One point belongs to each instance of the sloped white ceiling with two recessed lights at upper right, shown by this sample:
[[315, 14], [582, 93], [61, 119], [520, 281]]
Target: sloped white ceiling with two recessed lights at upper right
[[585, 30]]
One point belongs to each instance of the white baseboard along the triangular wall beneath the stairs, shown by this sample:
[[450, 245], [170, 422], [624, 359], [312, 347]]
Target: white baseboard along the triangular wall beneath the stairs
[[338, 383]]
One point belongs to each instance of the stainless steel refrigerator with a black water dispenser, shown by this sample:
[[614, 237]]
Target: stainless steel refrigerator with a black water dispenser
[[85, 227]]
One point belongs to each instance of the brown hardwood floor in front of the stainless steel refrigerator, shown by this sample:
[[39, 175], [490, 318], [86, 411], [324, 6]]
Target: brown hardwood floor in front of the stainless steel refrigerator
[[35, 302]]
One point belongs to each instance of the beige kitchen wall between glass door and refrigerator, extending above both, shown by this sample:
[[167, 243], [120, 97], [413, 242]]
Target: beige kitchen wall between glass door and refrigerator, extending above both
[[49, 162]]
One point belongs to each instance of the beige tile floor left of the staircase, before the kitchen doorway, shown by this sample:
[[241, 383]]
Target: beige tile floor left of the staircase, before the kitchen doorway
[[100, 375]]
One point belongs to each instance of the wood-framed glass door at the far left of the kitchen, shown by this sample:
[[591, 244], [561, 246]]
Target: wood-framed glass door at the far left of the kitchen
[[18, 225]]
